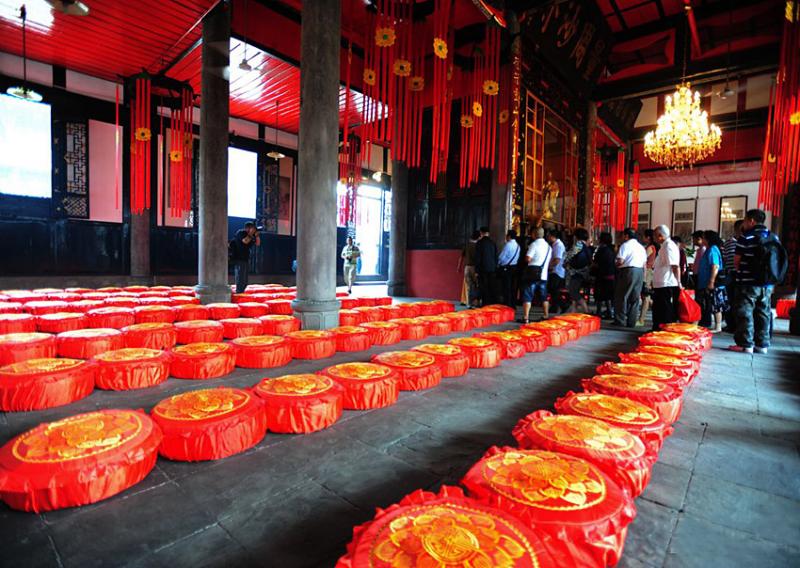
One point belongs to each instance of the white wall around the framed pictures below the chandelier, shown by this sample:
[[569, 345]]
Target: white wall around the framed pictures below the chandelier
[[708, 200]]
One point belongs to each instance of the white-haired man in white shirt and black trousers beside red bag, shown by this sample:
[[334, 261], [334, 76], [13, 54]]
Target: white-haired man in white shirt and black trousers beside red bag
[[666, 279]]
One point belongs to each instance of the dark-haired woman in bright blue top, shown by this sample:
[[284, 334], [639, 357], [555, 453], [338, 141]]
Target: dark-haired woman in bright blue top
[[711, 291]]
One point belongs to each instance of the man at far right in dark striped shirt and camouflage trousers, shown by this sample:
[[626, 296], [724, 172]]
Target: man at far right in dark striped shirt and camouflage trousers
[[752, 305]]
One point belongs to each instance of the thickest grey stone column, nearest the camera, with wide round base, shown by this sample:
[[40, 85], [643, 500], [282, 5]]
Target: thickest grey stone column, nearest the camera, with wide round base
[[317, 166]]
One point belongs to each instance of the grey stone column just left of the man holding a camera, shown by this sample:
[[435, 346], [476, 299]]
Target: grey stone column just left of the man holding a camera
[[212, 269]]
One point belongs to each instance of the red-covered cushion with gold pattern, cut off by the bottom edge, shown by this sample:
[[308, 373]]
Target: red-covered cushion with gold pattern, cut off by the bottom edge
[[446, 530]]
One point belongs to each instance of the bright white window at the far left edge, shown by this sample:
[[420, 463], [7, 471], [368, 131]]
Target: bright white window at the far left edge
[[25, 148]]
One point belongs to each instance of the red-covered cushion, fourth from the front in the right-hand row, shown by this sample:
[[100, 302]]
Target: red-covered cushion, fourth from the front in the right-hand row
[[637, 418]]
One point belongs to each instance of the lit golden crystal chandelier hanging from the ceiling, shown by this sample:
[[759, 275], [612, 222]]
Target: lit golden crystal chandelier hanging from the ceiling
[[683, 135]]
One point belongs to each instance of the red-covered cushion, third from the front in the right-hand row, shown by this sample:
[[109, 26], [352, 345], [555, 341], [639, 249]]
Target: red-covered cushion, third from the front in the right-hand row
[[618, 453]]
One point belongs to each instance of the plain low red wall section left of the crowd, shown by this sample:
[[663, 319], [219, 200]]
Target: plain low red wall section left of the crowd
[[433, 274]]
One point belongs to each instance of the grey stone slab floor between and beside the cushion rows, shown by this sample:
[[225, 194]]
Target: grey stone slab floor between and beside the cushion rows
[[725, 491]]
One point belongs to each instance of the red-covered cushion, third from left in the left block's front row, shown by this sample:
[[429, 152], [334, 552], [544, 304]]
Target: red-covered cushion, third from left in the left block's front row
[[298, 404]]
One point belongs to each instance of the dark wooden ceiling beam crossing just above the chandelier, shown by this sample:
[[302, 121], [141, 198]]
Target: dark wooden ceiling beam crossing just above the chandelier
[[758, 60]]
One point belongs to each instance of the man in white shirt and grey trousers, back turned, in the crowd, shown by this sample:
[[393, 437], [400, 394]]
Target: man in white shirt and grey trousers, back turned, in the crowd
[[630, 262]]
